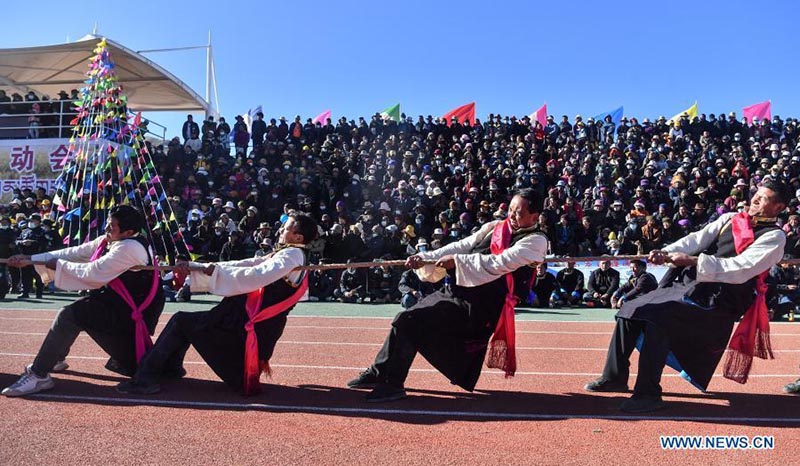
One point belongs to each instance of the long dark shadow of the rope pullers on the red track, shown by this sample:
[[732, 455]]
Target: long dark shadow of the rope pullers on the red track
[[430, 407]]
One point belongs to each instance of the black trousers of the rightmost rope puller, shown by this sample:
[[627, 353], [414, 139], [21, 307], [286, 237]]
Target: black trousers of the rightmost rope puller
[[652, 357]]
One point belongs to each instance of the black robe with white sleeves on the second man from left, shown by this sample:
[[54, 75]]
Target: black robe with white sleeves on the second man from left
[[219, 335]]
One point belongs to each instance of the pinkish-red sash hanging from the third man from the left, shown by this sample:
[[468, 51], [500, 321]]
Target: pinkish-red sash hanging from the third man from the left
[[502, 353]]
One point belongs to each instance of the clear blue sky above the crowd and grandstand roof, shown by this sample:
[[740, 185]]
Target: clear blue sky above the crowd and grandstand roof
[[359, 57]]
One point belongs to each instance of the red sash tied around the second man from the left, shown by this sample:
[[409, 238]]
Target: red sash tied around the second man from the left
[[252, 366]]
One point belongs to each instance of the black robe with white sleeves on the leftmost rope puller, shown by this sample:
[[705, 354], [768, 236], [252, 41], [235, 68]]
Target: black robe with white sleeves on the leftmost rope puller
[[105, 314]]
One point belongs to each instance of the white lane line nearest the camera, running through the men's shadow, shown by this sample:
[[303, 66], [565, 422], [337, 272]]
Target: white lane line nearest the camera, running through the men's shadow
[[403, 412]]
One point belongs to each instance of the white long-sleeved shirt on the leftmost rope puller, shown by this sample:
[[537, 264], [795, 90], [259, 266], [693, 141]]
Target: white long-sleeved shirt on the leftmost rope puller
[[75, 272]]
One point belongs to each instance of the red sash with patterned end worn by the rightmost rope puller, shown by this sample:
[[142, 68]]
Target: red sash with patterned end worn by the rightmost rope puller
[[751, 337]]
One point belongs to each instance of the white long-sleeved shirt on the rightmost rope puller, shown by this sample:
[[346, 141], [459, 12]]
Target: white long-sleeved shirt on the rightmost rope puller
[[766, 251]]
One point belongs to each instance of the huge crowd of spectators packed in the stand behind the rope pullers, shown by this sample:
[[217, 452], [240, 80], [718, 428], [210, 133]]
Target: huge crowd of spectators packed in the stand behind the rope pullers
[[386, 189]]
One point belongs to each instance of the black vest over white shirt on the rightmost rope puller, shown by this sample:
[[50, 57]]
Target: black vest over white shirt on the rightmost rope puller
[[734, 298]]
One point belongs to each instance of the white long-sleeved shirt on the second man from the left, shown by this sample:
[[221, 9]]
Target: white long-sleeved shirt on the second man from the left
[[239, 277]]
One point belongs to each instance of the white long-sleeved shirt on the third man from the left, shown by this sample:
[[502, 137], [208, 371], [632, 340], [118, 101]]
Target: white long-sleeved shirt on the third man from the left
[[474, 269]]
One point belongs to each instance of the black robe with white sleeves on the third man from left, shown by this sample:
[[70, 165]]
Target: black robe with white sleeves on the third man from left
[[452, 327]]
